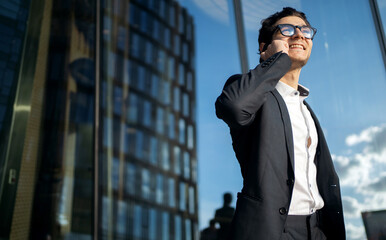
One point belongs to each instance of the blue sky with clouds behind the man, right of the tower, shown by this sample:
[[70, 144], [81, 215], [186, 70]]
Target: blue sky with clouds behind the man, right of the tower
[[347, 81]]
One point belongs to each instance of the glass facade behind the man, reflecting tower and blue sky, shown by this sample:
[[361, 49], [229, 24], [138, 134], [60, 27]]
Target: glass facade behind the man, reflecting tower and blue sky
[[99, 132]]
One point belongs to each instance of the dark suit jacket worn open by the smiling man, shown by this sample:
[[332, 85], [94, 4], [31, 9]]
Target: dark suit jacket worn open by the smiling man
[[262, 140]]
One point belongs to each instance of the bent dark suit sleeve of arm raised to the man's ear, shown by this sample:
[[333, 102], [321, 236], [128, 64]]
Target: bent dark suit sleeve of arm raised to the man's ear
[[243, 95]]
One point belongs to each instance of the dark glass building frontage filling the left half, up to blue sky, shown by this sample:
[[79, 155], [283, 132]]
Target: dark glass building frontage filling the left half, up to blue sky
[[97, 120]]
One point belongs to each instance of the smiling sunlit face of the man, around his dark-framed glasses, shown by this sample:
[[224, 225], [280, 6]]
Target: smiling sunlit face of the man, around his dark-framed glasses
[[299, 46]]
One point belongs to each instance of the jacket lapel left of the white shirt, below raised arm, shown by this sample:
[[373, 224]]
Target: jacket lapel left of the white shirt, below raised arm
[[287, 125]]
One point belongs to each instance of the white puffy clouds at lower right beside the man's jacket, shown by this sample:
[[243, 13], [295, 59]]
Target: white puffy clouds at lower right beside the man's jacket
[[363, 170]]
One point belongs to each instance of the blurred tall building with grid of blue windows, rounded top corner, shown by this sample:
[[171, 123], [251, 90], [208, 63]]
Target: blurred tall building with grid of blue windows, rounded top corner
[[148, 188]]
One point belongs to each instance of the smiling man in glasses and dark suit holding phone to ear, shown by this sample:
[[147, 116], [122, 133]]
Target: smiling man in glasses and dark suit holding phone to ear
[[291, 189]]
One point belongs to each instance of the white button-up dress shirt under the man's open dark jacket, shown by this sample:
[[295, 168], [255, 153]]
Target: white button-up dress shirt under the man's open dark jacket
[[305, 197]]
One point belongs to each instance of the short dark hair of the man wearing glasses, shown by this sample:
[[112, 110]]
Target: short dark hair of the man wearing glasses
[[268, 25]]
